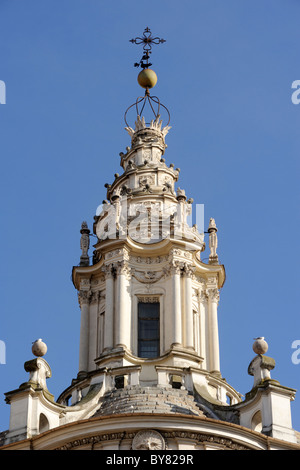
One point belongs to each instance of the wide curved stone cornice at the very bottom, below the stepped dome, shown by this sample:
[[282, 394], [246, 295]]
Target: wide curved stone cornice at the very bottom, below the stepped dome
[[200, 431]]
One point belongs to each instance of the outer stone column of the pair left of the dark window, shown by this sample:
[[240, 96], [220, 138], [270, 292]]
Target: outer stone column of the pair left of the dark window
[[109, 309]]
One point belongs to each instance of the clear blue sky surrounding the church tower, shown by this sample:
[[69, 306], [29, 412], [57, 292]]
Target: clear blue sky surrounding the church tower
[[225, 74]]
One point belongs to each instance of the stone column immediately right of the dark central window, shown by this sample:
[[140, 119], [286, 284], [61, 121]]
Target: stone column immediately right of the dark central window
[[176, 293]]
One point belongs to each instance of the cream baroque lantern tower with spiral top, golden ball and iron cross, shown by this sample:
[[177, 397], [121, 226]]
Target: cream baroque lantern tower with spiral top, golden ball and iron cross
[[148, 300]]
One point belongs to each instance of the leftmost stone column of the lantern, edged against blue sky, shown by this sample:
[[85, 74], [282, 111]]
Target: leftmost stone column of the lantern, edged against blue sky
[[84, 297]]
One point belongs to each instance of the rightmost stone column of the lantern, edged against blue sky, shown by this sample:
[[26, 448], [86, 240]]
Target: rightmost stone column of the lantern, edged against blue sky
[[213, 300]]
